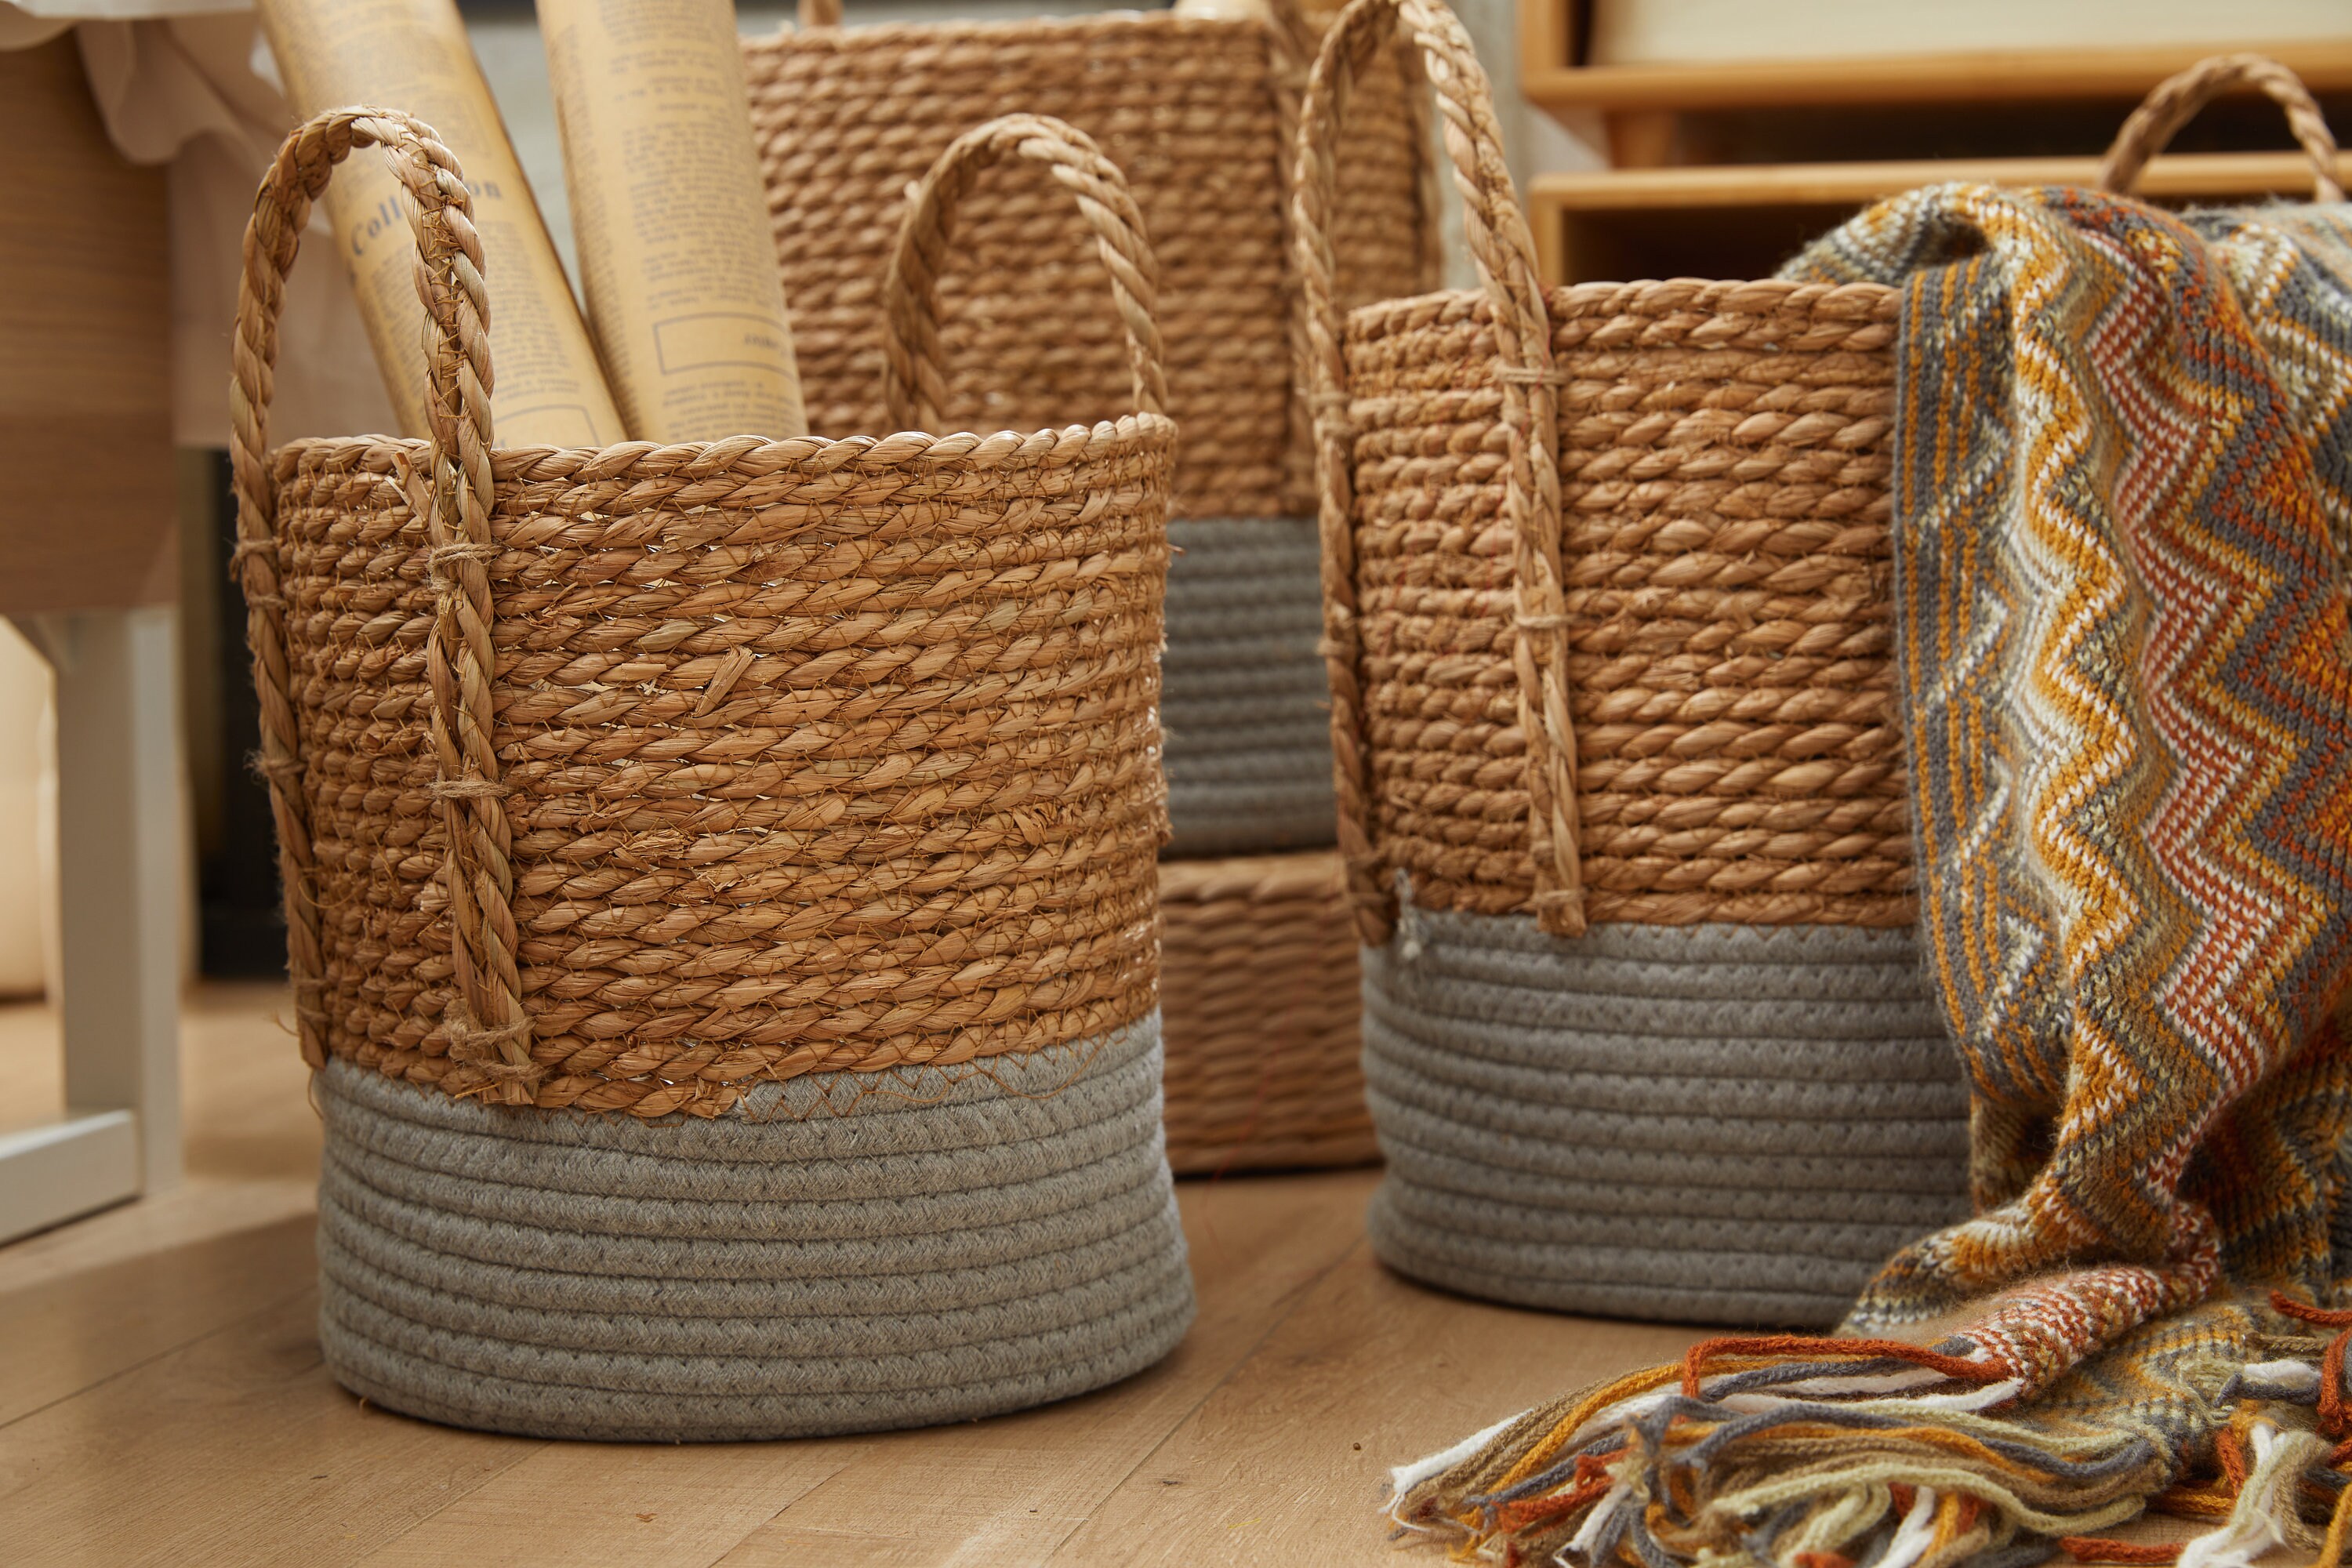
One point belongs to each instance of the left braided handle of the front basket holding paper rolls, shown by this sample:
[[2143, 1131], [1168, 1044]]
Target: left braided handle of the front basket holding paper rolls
[[490, 1028]]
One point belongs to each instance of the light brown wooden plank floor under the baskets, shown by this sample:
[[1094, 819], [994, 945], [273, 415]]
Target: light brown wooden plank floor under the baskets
[[163, 1400]]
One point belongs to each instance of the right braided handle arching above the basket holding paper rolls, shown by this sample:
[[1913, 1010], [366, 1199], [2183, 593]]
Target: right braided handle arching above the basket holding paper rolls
[[914, 389]]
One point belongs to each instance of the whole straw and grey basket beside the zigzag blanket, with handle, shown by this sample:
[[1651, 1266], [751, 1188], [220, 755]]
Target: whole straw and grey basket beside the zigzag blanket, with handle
[[1622, 798]]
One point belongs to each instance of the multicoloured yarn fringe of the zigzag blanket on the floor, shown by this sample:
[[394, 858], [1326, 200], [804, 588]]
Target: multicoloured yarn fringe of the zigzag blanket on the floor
[[1871, 1454]]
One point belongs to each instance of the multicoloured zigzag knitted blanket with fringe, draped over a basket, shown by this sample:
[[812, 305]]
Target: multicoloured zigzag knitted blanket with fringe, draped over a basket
[[2123, 509]]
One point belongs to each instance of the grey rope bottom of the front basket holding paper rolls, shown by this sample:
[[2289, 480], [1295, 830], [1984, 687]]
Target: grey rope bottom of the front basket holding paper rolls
[[843, 1254]]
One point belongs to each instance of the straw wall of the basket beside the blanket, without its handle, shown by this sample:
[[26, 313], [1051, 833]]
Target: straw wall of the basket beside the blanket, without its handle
[[1725, 507]]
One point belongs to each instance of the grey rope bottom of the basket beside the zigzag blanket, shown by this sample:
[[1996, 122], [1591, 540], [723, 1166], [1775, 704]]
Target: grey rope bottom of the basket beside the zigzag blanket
[[1730, 1125]]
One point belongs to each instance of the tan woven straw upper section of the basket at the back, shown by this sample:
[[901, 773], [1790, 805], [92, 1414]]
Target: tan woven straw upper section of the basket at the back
[[1189, 112]]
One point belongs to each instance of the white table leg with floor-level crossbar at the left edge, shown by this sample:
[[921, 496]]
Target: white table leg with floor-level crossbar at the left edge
[[119, 824]]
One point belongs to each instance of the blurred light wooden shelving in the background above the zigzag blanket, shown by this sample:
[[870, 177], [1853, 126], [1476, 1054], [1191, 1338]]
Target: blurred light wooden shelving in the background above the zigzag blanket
[[1735, 133]]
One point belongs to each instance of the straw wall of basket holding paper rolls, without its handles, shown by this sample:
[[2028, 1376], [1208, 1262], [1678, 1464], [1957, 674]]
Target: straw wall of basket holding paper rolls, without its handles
[[751, 836]]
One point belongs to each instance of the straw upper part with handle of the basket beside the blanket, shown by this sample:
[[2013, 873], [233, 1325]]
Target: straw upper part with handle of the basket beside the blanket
[[1608, 589]]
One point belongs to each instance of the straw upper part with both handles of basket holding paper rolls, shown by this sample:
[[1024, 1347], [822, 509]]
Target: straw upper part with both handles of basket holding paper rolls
[[624, 779]]
